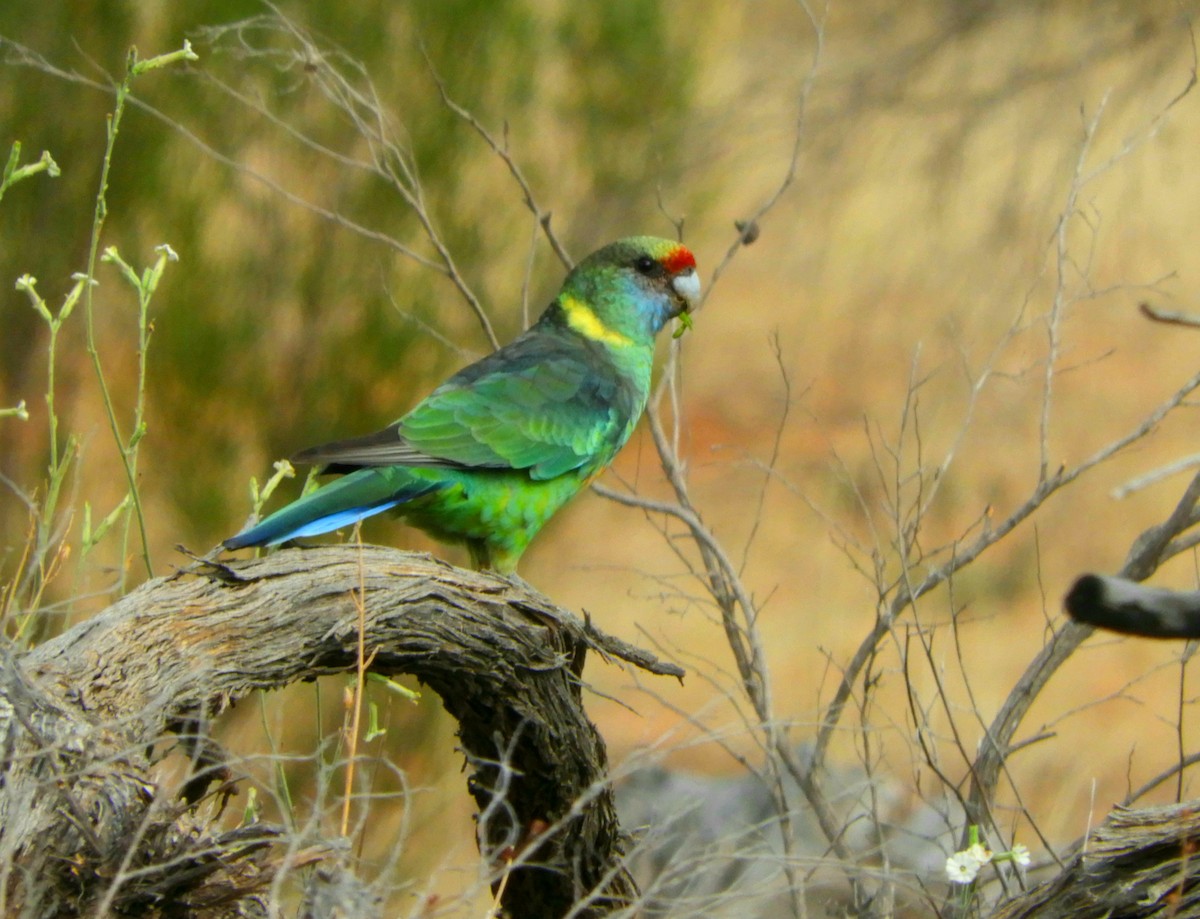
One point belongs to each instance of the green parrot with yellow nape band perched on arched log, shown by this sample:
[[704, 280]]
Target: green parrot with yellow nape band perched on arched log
[[489, 457]]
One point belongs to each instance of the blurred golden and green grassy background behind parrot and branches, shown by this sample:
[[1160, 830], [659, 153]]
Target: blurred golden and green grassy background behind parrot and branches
[[832, 370]]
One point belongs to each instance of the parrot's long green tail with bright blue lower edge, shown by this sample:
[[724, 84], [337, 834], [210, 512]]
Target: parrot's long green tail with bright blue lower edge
[[341, 503]]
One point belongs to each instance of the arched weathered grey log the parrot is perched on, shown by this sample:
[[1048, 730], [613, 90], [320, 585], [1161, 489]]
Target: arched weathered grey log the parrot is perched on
[[83, 821]]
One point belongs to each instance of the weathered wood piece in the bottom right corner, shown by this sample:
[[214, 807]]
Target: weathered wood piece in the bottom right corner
[[1138, 864]]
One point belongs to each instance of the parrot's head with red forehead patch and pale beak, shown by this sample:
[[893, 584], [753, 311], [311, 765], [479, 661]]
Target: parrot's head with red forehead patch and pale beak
[[633, 289]]
